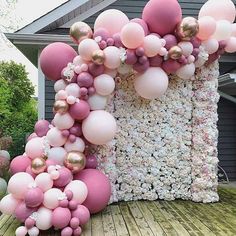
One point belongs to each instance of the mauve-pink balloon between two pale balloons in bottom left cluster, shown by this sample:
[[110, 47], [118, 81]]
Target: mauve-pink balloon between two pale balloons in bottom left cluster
[[33, 197]]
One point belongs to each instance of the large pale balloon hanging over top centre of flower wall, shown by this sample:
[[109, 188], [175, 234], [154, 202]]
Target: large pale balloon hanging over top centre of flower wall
[[152, 84]]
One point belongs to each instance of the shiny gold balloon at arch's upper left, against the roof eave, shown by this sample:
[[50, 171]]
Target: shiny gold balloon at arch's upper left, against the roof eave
[[80, 31]]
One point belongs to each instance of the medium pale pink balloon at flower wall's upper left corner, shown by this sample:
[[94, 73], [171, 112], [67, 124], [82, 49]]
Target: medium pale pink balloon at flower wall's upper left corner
[[104, 84]]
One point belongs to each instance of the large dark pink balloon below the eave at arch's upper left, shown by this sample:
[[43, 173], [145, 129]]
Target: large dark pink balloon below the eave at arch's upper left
[[54, 58]]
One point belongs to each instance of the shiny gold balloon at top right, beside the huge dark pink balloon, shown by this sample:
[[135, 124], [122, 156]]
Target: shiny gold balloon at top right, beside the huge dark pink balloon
[[187, 28]]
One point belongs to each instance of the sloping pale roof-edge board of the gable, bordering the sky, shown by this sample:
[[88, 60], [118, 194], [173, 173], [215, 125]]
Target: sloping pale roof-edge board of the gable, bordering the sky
[[52, 16]]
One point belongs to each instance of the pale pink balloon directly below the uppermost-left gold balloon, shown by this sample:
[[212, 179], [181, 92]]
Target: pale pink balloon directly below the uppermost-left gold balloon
[[86, 48]]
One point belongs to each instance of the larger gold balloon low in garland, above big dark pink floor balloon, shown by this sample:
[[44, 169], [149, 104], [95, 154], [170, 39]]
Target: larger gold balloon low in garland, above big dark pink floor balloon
[[75, 161]]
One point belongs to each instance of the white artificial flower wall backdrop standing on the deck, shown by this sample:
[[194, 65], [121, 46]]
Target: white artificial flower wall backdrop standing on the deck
[[166, 148]]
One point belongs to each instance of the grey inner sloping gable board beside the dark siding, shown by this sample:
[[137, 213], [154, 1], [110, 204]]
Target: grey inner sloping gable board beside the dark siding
[[91, 11]]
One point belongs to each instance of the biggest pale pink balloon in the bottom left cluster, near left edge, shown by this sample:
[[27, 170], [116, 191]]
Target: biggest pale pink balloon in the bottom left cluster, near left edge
[[18, 184]]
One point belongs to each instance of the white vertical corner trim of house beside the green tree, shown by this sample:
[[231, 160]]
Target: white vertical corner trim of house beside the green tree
[[41, 92]]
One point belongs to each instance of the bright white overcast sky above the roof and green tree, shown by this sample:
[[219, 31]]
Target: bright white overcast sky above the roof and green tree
[[24, 13]]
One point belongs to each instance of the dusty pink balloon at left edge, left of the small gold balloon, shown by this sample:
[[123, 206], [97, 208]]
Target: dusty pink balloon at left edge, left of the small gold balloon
[[19, 164]]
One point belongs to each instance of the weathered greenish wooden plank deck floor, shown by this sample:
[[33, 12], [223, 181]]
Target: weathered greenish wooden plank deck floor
[[143, 218]]
